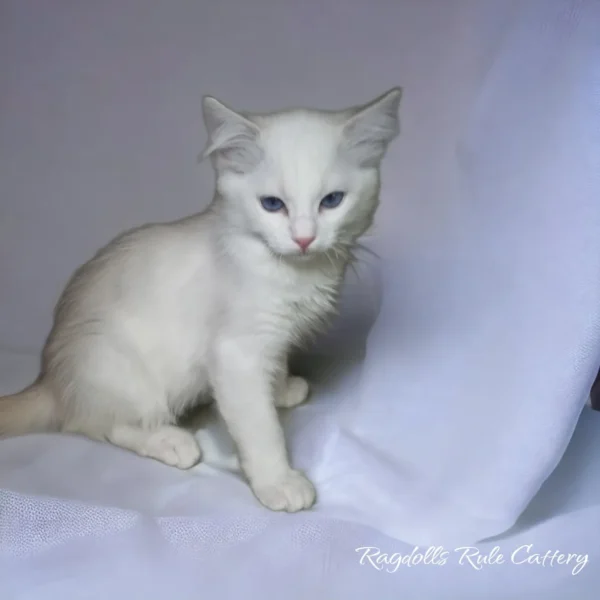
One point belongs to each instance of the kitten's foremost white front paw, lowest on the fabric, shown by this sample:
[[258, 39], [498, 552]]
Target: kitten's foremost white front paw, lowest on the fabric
[[292, 492]]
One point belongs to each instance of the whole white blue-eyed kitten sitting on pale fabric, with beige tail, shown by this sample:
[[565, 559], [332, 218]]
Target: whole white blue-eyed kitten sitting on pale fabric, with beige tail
[[212, 304]]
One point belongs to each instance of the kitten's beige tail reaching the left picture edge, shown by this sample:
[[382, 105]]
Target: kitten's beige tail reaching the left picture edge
[[34, 410]]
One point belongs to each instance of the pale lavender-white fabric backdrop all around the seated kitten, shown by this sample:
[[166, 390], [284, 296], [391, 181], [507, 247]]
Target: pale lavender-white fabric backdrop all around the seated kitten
[[486, 340]]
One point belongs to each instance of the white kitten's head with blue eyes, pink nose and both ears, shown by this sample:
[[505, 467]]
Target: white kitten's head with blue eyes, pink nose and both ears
[[304, 182]]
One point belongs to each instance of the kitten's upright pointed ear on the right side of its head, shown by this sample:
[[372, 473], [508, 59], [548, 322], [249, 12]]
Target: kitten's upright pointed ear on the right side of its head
[[370, 129]]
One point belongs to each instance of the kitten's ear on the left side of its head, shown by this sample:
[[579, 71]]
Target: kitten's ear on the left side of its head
[[232, 138]]
